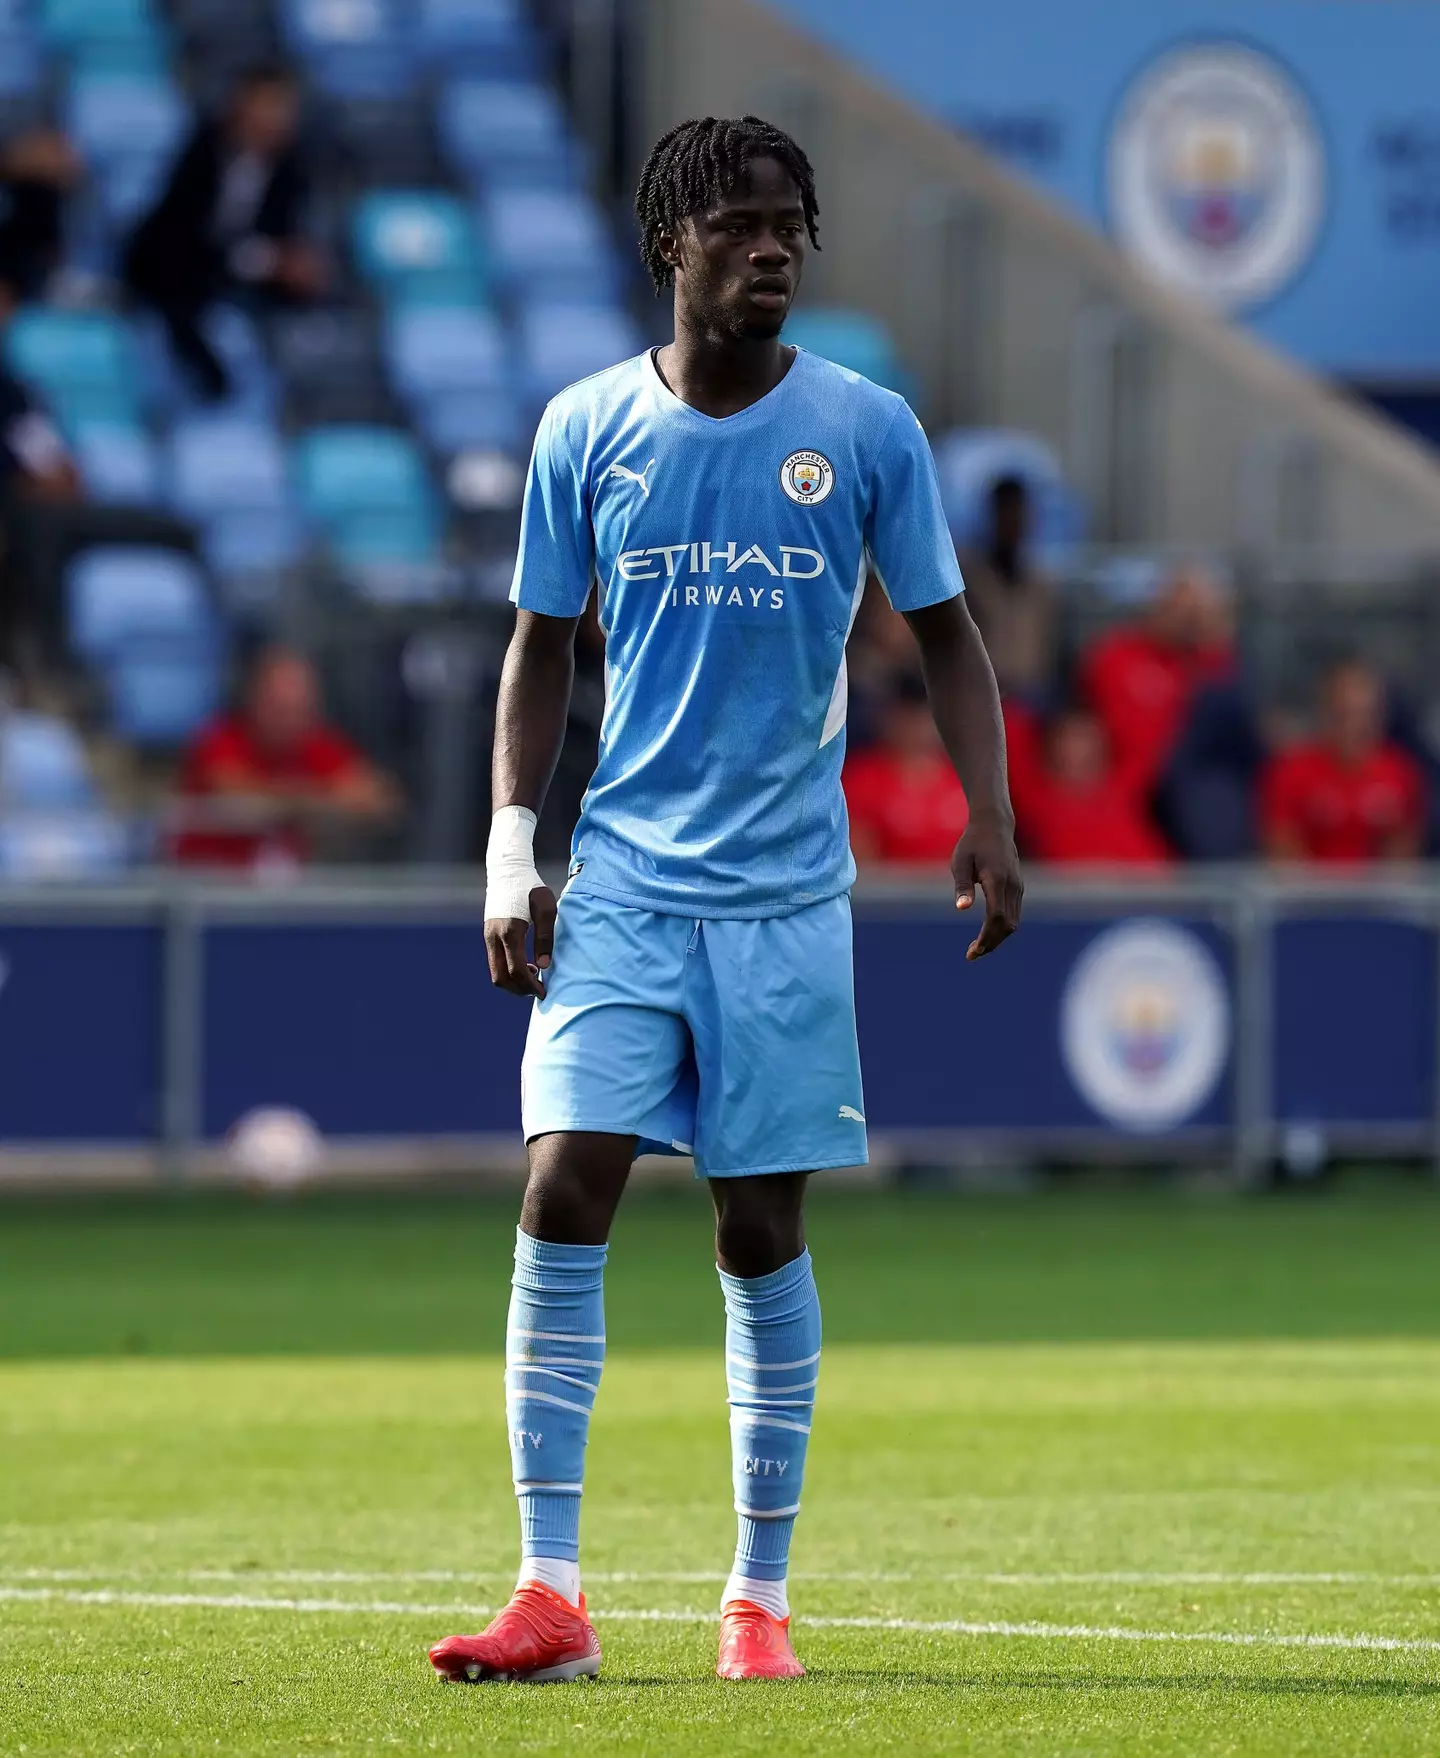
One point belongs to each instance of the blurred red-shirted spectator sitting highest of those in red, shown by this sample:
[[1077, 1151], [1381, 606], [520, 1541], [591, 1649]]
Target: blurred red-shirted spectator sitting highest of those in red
[[1142, 678]]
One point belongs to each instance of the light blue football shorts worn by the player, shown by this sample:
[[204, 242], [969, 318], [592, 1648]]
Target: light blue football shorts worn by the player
[[727, 1040]]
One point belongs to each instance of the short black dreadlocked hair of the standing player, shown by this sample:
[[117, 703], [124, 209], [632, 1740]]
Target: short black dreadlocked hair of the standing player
[[697, 164]]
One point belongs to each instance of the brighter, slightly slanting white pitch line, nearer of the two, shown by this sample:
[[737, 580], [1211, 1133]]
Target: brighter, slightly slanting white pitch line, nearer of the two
[[952, 1627]]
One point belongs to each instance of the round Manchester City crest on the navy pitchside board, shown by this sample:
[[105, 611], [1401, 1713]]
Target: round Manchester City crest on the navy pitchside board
[[1145, 1024]]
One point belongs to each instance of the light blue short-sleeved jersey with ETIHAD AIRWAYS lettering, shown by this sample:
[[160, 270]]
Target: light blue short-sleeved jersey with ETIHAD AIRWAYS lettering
[[731, 556]]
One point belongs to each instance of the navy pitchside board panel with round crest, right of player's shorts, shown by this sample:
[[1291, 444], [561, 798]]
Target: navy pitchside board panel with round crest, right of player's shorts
[[1123, 1024]]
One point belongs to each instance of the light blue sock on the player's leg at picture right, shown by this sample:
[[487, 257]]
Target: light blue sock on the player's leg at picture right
[[773, 1365]]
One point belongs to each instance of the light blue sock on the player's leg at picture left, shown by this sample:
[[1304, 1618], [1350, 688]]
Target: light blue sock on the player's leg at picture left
[[555, 1349]]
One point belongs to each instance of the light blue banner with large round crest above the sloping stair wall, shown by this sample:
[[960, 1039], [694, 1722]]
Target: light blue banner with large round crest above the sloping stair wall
[[1277, 159]]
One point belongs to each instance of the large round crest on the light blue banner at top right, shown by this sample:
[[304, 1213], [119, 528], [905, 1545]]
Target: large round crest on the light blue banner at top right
[[1218, 175]]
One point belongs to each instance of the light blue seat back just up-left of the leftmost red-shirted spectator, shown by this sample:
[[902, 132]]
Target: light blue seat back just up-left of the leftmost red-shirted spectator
[[119, 597]]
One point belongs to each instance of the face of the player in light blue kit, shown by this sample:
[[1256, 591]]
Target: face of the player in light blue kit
[[738, 266]]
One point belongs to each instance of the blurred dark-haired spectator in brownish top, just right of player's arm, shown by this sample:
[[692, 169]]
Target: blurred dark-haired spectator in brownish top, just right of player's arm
[[1010, 600]]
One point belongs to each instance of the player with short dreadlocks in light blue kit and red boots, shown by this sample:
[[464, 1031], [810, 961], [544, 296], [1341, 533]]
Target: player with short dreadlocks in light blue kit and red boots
[[729, 497]]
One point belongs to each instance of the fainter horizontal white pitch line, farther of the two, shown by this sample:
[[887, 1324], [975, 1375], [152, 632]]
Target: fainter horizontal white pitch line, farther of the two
[[699, 1578]]
